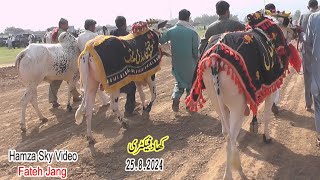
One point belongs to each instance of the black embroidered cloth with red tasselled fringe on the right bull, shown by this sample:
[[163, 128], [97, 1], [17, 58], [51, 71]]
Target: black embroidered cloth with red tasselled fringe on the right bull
[[256, 60]]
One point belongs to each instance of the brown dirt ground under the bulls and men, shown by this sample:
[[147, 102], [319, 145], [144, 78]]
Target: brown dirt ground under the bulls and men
[[195, 150]]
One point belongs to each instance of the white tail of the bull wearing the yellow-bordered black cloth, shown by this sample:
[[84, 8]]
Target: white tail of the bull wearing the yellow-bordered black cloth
[[84, 73]]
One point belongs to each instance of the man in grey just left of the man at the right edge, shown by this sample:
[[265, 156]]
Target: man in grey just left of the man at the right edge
[[307, 53]]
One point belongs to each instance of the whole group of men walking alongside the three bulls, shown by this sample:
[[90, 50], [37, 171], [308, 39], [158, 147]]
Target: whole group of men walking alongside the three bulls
[[185, 43]]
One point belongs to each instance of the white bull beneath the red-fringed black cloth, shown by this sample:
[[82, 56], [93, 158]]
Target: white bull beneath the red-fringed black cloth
[[231, 106]]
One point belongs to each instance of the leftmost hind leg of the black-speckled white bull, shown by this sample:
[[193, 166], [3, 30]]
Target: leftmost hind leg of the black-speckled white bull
[[26, 98]]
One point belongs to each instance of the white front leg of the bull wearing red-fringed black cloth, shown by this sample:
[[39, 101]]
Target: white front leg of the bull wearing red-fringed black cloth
[[267, 116]]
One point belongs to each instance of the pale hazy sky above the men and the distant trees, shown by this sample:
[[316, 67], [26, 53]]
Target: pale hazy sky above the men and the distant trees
[[41, 14]]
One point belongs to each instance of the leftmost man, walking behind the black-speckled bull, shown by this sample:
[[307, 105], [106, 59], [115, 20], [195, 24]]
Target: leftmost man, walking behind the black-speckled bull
[[55, 85]]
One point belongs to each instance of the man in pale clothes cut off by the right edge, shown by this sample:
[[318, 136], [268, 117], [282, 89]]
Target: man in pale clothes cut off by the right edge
[[313, 43]]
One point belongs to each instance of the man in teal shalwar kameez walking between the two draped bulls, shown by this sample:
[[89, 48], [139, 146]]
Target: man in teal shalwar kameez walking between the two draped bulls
[[184, 46]]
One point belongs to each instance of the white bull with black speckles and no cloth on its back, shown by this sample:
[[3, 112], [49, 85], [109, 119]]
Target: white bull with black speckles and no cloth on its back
[[47, 62]]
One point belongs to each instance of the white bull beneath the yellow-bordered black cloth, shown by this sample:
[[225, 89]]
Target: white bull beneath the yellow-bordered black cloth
[[90, 82]]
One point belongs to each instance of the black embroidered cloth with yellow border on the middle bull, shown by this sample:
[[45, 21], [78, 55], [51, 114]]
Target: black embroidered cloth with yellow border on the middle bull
[[125, 59]]
